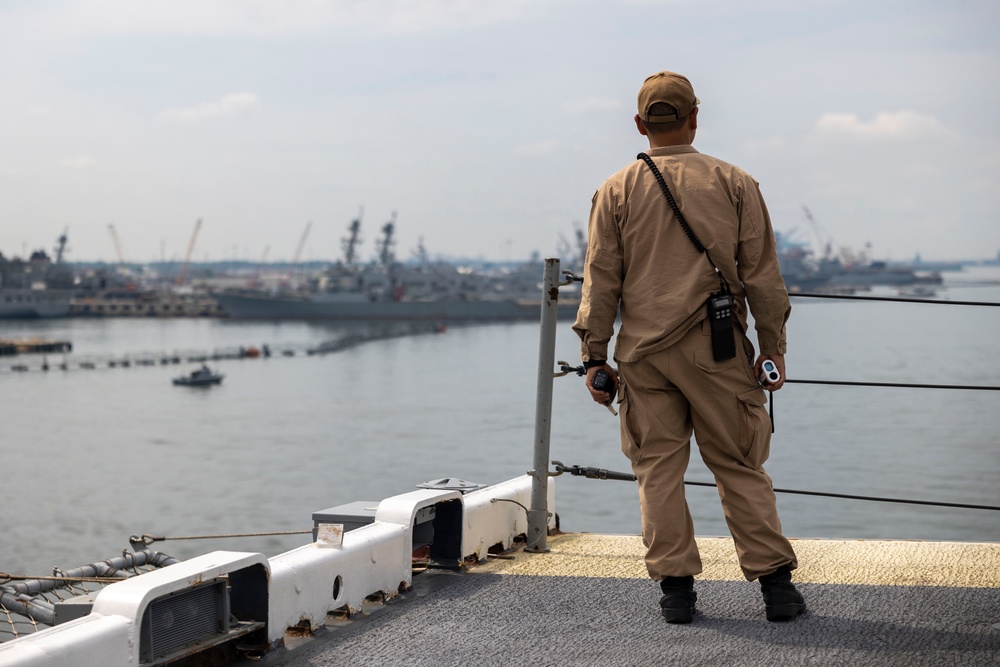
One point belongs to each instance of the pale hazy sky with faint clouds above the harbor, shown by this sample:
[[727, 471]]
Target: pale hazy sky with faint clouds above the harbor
[[486, 126]]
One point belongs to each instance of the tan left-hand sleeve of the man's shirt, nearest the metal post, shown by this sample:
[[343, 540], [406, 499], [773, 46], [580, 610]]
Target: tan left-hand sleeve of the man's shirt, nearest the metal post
[[602, 277]]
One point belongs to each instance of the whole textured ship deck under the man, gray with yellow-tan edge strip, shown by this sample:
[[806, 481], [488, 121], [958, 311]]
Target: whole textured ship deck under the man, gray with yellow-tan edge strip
[[588, 601]]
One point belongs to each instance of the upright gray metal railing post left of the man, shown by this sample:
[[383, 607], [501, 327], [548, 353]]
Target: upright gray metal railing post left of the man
[[538, 515]]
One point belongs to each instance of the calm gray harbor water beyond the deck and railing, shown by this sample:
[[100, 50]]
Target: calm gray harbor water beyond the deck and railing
[[91, 457]]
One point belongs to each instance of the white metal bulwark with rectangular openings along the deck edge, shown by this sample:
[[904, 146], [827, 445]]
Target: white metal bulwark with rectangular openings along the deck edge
[[217, 599]]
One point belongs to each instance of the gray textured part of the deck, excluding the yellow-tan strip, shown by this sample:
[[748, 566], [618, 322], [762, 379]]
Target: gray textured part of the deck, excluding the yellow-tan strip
[[487, 619]]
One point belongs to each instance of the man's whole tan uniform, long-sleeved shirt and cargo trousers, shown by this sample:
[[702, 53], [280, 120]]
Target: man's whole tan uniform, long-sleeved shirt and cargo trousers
[[640, 261]]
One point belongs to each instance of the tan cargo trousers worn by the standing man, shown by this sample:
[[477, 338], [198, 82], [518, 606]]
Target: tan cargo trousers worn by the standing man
[[664, 396]]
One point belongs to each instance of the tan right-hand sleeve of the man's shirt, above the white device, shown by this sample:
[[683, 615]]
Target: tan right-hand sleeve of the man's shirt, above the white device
[[759, 271]]
